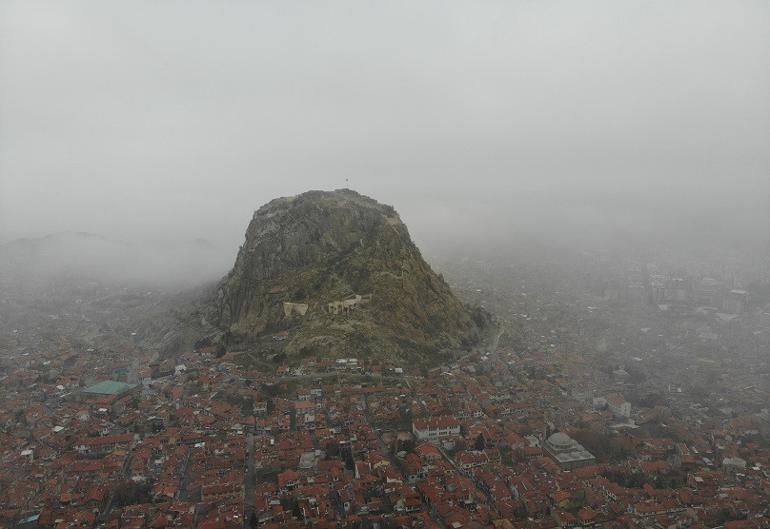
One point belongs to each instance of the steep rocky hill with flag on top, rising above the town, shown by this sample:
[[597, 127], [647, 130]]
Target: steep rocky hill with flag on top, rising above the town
[[336, 273]]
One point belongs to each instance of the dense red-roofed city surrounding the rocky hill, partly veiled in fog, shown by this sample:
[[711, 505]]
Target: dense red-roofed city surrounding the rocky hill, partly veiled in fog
[[665, 425]]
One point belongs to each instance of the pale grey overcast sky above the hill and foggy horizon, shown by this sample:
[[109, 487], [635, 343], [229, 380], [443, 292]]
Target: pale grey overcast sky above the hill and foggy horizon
[[179, 119]]
